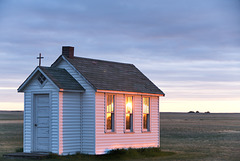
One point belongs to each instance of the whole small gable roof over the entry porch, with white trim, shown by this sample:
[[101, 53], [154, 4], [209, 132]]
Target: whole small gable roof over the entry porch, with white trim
[[60, 78]]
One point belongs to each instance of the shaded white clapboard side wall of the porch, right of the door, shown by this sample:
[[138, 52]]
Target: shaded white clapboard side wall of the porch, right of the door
[[69, 120]]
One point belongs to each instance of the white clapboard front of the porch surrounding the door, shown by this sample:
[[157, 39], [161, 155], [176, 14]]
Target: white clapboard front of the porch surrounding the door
[[35, 88]]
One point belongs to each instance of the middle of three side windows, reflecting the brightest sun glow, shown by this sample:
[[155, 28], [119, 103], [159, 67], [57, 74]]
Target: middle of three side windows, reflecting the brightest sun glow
[[129, 113]]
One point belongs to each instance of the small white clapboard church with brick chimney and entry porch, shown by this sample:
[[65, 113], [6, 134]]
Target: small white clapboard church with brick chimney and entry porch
[[89, 106]]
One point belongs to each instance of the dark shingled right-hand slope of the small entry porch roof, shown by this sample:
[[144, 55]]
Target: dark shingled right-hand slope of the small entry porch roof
[[61, 78]]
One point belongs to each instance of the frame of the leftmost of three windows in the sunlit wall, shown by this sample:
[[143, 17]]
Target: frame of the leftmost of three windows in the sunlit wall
[[113, 121]]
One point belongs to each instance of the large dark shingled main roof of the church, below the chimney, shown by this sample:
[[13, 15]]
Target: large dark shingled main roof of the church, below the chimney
[[114, 76]]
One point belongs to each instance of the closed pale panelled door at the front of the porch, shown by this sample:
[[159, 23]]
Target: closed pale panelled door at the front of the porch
[[41, 139]]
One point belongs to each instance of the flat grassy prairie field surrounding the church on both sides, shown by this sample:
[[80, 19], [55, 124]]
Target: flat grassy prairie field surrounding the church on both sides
[[190, 136]]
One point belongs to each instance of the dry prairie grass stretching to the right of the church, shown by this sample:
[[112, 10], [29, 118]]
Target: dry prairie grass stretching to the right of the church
[[201, 136]]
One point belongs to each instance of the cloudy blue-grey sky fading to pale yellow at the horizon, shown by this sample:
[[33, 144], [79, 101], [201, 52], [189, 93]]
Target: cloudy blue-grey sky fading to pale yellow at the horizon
[[189, 48]]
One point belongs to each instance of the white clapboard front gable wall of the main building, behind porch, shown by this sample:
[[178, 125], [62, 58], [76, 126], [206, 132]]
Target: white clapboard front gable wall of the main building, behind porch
[[87, 128]]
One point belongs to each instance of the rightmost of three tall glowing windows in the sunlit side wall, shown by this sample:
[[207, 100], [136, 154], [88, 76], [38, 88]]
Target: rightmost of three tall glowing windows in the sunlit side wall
[[146, 114]]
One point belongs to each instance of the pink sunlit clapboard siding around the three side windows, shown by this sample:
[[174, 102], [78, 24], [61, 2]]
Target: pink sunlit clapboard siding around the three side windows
[[120, 139]]
